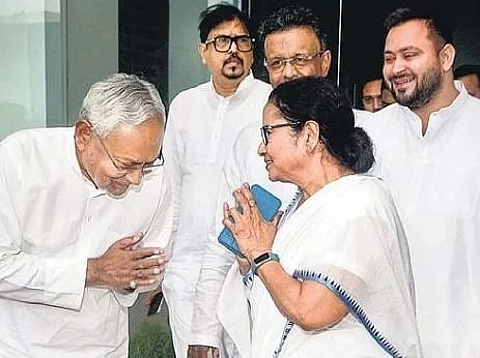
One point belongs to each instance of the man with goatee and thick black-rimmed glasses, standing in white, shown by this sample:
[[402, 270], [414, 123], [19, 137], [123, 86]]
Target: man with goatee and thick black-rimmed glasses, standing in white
[[202, 125]]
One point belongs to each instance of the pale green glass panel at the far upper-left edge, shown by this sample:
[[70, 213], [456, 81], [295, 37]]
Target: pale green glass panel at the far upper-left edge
[[22, 62]]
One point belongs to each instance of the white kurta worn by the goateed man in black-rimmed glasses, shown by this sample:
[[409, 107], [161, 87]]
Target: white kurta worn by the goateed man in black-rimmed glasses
[[201, 129]]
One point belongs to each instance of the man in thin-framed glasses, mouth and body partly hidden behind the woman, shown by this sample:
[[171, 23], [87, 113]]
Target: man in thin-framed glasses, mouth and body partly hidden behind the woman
[[295, 45]]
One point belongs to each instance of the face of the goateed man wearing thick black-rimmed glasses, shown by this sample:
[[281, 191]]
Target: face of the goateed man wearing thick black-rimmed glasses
[[233, 65]]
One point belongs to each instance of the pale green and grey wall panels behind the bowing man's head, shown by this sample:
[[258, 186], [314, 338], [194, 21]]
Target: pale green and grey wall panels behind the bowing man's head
[[52, 50]]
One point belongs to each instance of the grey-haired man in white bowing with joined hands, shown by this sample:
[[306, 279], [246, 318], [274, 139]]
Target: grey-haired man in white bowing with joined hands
[[85, 213]]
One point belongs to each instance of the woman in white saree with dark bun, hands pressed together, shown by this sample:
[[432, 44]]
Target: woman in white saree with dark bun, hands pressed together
[[335, 279]]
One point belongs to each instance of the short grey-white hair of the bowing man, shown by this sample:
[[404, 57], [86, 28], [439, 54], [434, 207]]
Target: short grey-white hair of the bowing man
[[120, 99]]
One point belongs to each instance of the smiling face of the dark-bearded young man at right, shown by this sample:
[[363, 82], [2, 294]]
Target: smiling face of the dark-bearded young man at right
[[412, 65]]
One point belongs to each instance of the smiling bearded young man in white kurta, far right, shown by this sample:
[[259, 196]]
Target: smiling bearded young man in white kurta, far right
[[428, 152]]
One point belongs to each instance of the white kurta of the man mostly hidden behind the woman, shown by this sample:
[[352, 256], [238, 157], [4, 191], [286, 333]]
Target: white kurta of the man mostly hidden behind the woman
[[244, 165]]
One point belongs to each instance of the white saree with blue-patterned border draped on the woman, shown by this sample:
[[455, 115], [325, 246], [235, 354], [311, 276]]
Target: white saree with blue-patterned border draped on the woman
[[348, 231]]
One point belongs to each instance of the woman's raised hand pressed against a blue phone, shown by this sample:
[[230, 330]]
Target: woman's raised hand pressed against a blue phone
[[254, 235]]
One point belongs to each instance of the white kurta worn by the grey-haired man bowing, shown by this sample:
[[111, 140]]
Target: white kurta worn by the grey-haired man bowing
[[51, 220]]
